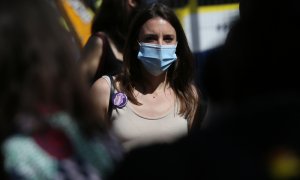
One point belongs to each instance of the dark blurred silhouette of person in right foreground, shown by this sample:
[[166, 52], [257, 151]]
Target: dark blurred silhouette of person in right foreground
[[252, 129]]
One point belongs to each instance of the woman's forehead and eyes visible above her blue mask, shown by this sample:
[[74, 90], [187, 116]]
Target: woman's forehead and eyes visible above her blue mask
[[158, 31]]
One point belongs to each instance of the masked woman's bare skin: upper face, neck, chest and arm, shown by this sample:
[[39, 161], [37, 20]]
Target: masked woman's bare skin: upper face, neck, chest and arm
[[156, 98]]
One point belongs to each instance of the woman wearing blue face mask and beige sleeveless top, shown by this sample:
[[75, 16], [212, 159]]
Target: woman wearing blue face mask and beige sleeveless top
[[154, 98]]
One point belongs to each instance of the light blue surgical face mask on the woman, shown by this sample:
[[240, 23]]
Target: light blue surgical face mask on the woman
[[157, 58]]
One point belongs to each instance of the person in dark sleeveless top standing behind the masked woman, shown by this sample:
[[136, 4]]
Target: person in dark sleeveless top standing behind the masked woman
[[103, 53]]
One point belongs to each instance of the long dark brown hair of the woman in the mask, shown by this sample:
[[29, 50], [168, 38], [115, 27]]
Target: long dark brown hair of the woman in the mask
[[180, 75]]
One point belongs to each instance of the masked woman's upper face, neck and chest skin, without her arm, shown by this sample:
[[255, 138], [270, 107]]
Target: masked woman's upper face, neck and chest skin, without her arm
[[157, 98]]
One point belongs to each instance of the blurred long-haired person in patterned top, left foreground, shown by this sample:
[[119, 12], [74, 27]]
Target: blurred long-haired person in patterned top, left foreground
[[48, 124]]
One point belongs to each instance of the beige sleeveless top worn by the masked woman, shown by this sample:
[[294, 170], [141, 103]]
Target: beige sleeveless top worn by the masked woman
[[134, 130]]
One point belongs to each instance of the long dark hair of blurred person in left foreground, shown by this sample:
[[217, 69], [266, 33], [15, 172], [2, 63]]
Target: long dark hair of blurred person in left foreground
[[38, 66]]
